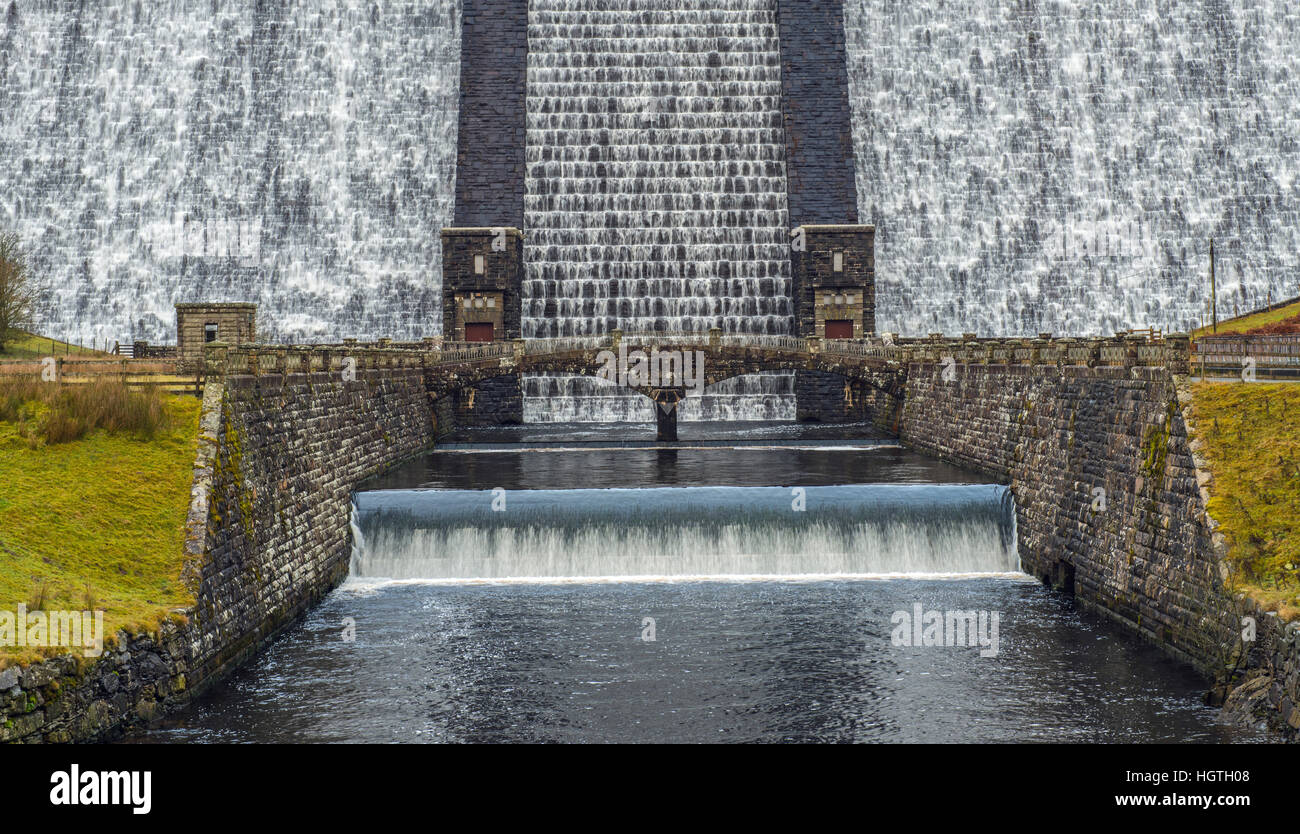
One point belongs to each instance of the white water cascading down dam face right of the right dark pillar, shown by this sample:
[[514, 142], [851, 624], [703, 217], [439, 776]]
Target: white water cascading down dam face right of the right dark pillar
[[1063, 167]]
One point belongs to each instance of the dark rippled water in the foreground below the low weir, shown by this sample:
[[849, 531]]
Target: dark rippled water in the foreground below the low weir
[[731, 663]]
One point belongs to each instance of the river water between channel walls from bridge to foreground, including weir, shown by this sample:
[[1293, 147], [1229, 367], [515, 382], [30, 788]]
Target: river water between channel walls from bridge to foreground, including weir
[[626, 594]]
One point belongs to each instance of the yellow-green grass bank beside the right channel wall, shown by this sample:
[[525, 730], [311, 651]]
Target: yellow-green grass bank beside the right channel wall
[[1253, 446]]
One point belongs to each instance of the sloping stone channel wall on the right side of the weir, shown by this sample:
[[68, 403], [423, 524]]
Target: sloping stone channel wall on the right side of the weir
[[1141, 553]]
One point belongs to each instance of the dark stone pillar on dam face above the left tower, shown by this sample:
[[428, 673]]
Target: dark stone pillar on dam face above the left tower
[[491, 141]]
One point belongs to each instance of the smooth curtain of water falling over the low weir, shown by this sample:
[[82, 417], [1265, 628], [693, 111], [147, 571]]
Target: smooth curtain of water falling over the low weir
[[684, 532]]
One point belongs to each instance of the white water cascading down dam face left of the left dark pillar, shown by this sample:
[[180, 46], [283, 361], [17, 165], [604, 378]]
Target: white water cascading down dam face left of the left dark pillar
[[298, 155]]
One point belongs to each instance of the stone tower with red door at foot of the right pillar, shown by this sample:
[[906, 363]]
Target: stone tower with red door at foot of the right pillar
[[834, 288]]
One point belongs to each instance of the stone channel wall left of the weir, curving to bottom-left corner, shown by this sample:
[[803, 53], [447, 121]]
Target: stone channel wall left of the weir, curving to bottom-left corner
[[280, 453]]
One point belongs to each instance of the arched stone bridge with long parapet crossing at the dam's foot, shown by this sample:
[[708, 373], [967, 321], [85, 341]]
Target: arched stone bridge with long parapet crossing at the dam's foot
[[868, 367]]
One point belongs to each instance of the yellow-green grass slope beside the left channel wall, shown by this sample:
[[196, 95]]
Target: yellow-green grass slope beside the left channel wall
[[98, 523]]
